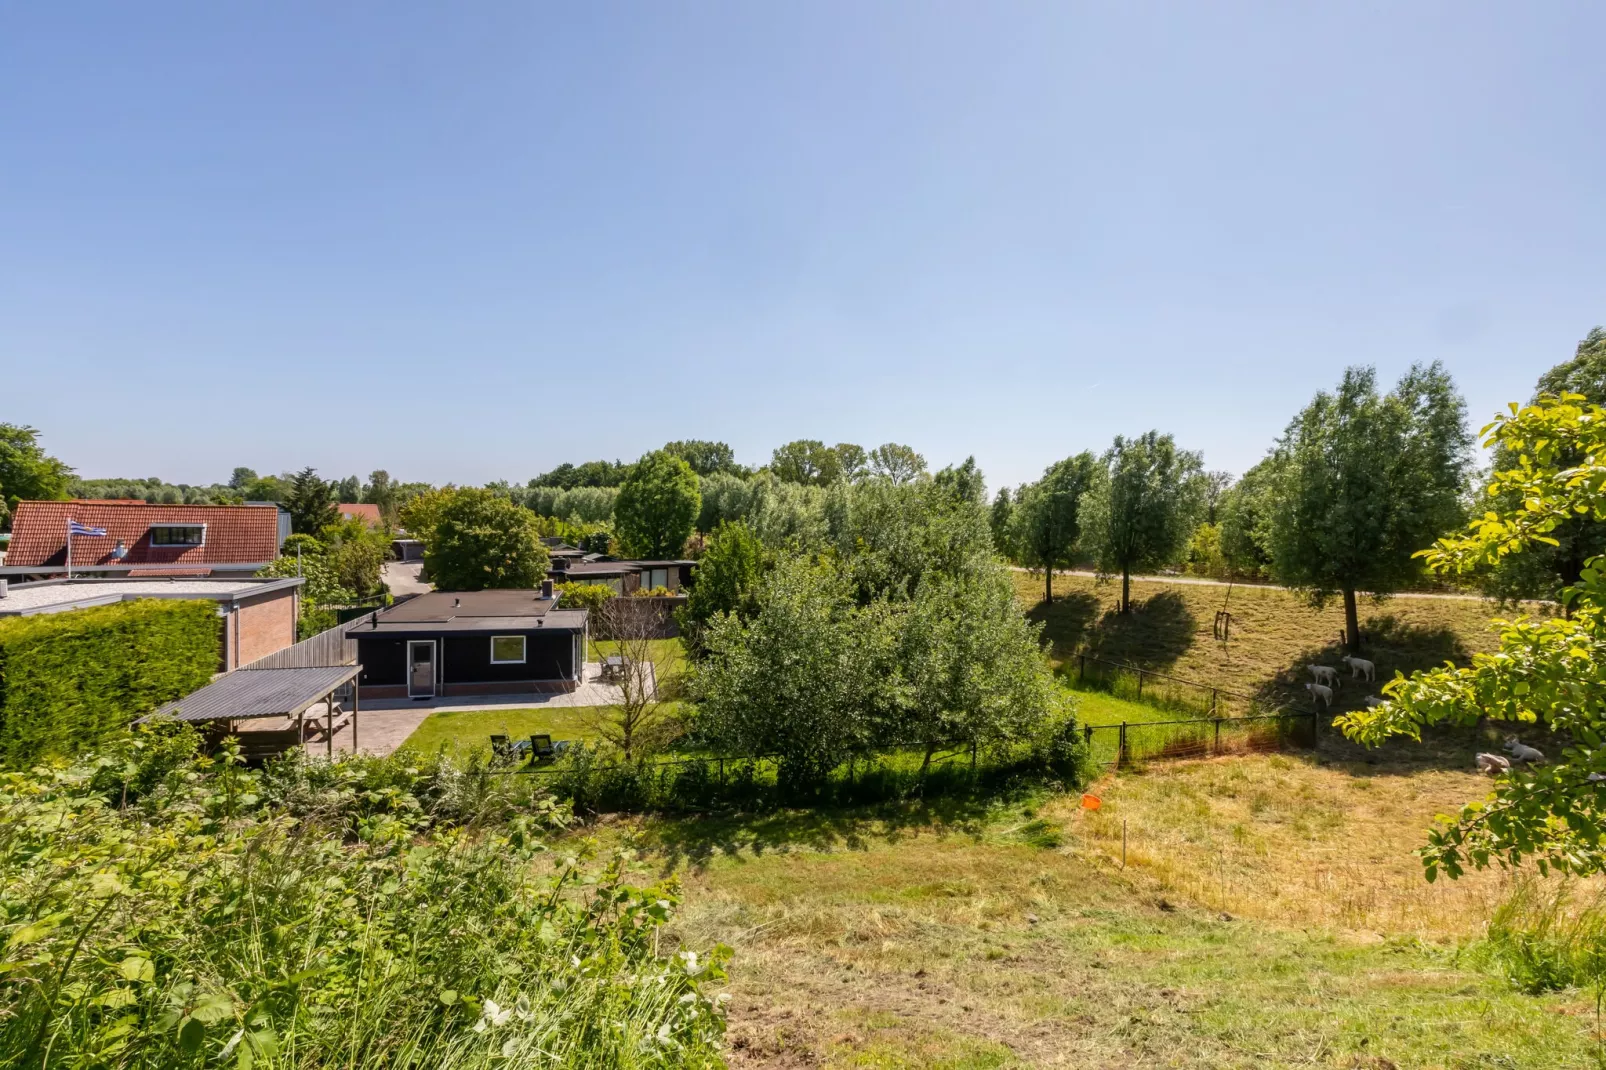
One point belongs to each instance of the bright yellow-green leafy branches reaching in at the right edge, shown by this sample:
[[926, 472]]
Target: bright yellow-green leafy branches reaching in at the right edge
[[1549, 672]]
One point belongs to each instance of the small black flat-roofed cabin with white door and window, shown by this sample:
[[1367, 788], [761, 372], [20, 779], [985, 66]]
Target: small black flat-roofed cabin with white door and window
[[450, 643]]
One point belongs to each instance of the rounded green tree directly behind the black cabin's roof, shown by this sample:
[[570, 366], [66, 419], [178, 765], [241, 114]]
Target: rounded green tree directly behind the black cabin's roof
[[481, 542]]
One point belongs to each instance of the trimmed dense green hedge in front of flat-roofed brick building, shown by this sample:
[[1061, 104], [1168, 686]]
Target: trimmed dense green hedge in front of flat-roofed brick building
[[70, 680]]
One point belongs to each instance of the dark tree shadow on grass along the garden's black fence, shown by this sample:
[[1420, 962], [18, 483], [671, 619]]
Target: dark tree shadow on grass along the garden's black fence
[[693, 841]]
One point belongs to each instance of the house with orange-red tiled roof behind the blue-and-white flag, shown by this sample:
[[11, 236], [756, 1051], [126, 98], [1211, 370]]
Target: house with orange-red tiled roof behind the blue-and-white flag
[[144, 541]]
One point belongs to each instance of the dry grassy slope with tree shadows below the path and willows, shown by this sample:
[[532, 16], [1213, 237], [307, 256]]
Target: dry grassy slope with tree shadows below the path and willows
[[1274, 634]]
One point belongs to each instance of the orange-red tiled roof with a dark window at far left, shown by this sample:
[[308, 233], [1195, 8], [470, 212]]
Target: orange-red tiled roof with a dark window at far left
[[234, 534]]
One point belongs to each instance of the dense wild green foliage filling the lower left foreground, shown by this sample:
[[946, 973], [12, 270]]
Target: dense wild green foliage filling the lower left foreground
[[163, 910]]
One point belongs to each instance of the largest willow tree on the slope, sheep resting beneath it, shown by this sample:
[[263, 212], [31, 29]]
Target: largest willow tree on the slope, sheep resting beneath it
[[1361, 481]]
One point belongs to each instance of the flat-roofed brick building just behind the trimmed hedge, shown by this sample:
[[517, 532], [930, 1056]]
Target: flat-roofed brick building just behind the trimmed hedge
[[259, 616]]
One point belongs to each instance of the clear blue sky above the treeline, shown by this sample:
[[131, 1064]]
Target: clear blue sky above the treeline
[[471, 242]]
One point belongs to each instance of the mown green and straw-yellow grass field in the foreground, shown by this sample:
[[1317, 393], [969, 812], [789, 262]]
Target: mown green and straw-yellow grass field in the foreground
[[1009, 936]]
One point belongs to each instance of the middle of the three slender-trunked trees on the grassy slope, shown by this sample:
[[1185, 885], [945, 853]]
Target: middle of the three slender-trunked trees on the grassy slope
[[1144, 507]]
